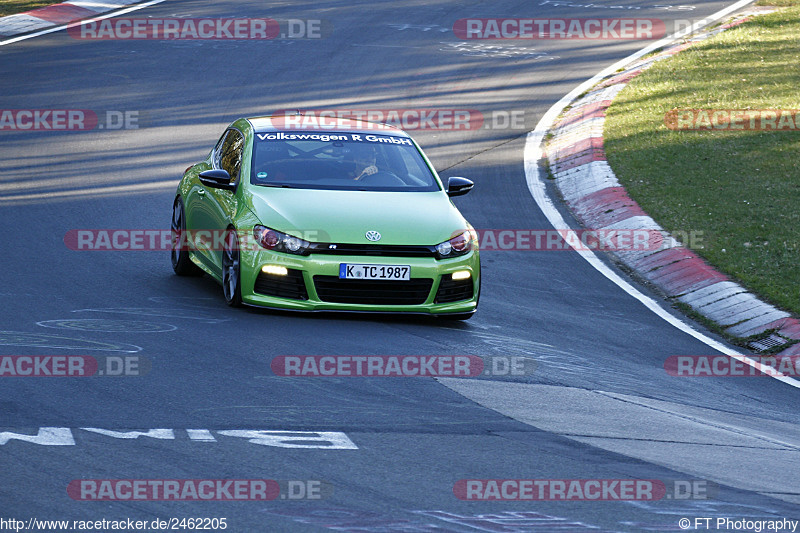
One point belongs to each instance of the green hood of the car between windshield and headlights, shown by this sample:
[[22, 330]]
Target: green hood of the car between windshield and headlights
[[345, 216]]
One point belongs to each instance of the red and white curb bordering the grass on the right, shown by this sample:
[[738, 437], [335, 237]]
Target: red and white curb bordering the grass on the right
[[591, 190]]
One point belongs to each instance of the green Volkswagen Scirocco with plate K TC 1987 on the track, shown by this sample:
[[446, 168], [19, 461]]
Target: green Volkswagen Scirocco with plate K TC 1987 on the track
[[326, 215]]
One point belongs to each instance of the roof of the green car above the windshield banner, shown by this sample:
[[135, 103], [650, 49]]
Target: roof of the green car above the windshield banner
[[310, 122]]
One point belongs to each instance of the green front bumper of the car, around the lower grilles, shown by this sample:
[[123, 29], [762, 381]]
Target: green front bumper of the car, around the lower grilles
[[313, 284]]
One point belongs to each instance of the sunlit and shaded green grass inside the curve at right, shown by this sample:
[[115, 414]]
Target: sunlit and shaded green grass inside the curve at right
[[740, 189]]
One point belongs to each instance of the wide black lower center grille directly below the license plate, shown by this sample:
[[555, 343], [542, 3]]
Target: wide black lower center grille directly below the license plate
[[377, 292]]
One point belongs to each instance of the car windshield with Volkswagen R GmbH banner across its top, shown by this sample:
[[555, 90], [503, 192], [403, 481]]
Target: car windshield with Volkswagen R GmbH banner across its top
[[346, 161]]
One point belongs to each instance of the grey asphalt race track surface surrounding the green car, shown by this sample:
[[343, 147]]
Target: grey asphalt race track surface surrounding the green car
[[598, 406]]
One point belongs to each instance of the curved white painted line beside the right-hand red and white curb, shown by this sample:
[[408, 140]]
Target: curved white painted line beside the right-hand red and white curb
[[533, 154]]
